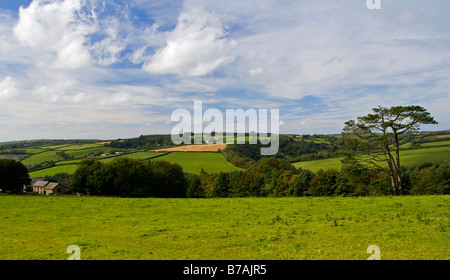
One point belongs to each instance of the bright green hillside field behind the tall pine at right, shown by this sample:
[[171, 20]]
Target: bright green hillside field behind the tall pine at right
[[408, 158]]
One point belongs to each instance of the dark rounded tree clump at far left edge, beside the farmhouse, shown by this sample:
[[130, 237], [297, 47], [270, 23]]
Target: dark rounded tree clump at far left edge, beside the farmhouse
[[13, 176]]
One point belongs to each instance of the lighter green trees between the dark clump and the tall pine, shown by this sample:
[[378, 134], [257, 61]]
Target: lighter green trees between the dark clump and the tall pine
[[274, 177]]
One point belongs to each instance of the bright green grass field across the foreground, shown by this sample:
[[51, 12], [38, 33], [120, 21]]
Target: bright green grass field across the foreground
[[42, 227]]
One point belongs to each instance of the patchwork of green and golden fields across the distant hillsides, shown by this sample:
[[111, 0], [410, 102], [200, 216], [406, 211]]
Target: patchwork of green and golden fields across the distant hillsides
[[50, 159]]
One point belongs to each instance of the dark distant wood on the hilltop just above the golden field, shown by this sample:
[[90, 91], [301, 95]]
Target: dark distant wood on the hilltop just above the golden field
[[142, 142]]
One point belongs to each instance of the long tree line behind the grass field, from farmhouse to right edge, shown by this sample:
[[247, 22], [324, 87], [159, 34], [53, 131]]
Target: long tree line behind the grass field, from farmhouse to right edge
[[269, 177]]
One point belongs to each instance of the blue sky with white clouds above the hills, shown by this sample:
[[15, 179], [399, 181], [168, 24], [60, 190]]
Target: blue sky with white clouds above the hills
[[91, 69]]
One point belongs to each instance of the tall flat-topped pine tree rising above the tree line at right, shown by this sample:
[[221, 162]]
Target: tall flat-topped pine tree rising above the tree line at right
[[377, 135]]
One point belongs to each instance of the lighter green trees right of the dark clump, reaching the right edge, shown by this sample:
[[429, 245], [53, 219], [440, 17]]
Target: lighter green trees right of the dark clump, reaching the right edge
[[272, 177]]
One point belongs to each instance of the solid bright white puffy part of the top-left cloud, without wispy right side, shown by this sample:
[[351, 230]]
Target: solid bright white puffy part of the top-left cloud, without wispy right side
[[59, 27]]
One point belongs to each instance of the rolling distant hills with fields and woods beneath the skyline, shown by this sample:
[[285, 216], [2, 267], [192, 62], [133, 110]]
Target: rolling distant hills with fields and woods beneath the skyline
[[318, 150]]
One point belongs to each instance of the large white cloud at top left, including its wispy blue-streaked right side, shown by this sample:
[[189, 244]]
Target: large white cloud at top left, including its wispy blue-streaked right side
[[72, 31]]
